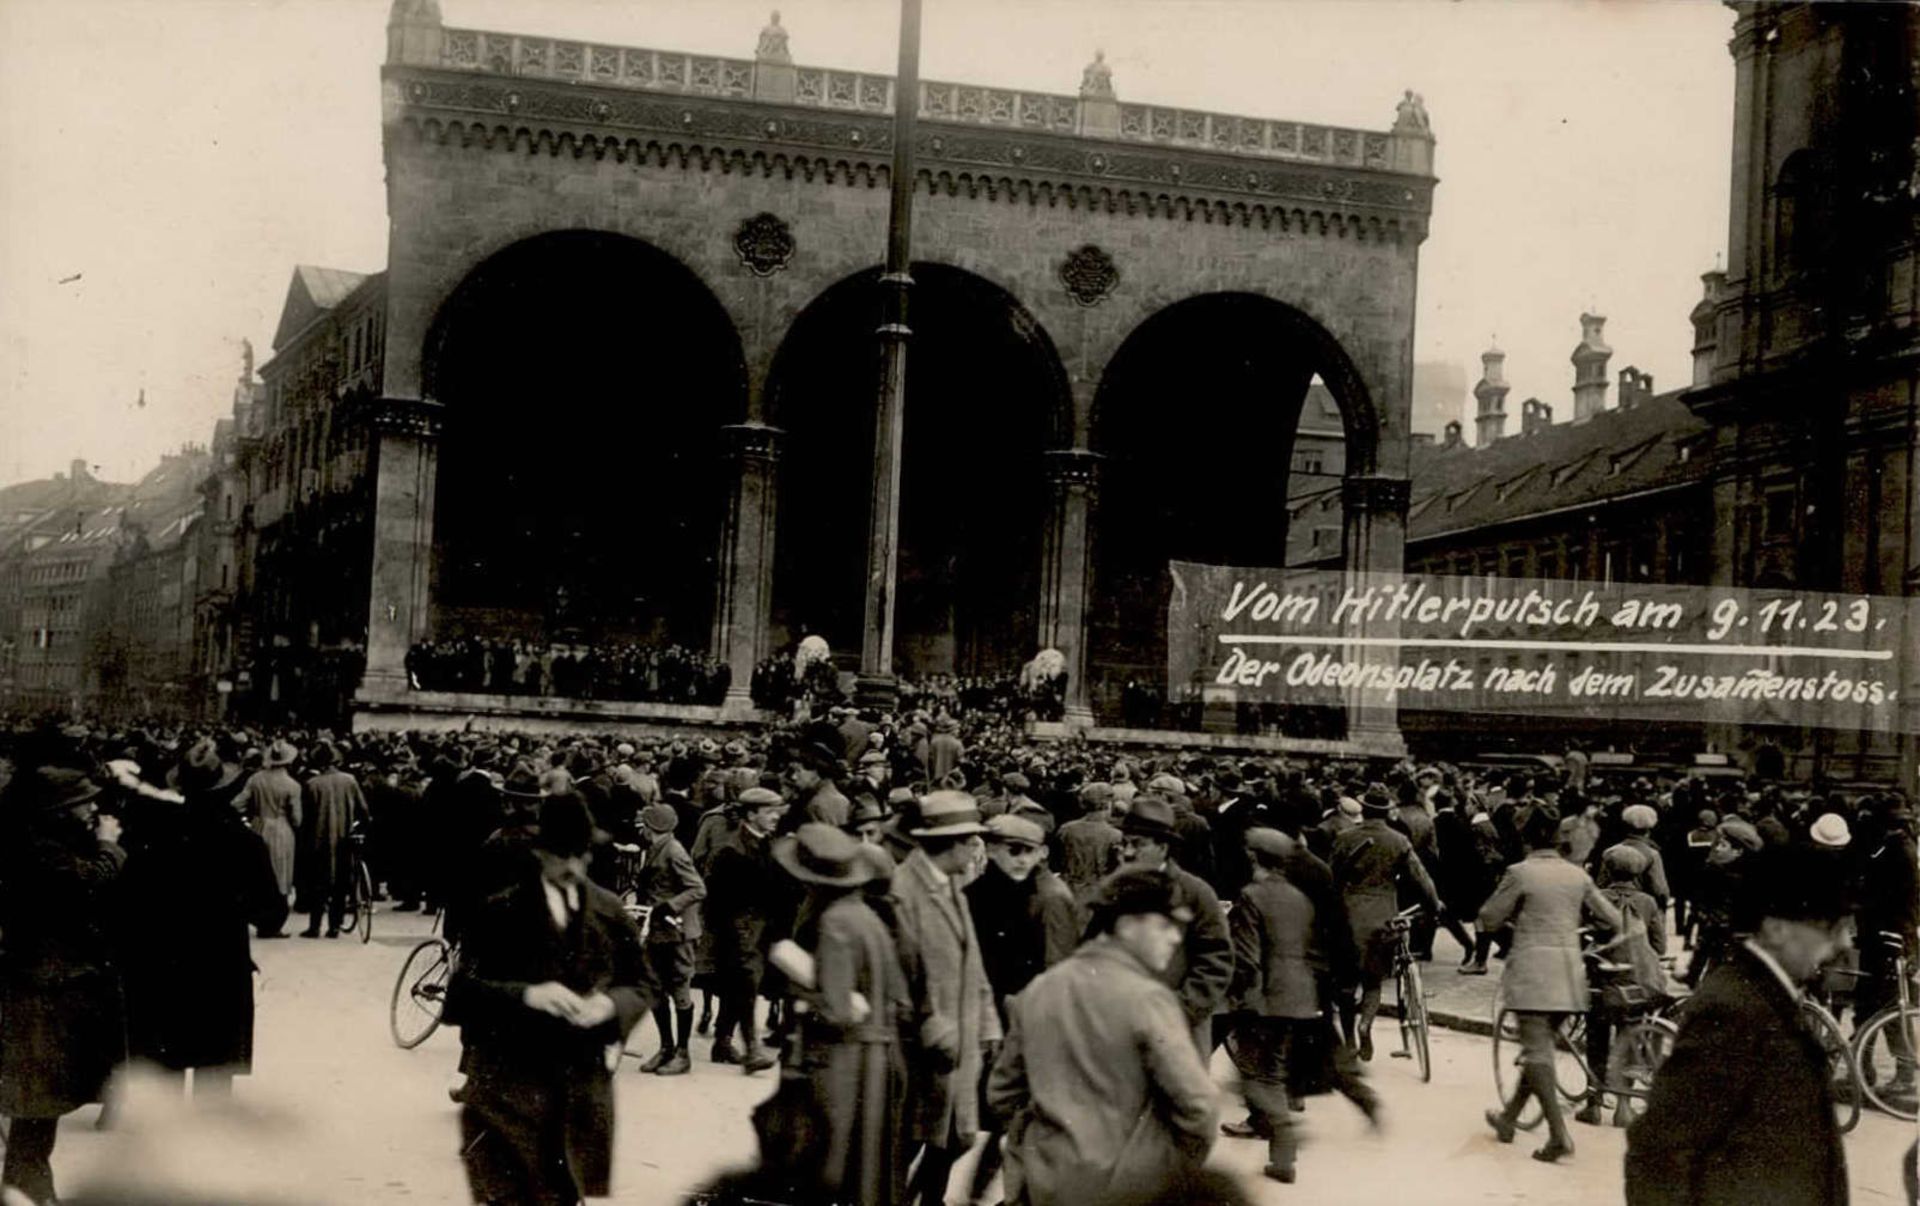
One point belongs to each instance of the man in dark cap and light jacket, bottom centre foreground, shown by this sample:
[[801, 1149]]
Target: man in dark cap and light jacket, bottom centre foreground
[[1101, 1097]]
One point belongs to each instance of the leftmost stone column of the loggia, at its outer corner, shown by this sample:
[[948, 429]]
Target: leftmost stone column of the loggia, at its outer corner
[[404, 466]]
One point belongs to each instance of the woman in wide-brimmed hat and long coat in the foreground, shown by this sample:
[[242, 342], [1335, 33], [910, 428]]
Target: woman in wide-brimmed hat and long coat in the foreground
[[834, 1128]]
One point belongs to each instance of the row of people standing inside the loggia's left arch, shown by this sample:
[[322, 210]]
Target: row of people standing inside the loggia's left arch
[[573, 671]]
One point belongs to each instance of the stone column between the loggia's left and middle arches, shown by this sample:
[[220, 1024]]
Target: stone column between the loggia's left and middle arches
[[746, 560]]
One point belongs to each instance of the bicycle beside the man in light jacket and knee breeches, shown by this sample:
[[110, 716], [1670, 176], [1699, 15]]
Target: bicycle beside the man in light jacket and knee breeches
[[1641, 1046]]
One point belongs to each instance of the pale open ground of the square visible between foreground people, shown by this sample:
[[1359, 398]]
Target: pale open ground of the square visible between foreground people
[[350, 1119]]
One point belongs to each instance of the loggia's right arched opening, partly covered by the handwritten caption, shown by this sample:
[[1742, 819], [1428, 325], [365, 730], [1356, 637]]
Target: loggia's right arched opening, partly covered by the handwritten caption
[[1201, 416]]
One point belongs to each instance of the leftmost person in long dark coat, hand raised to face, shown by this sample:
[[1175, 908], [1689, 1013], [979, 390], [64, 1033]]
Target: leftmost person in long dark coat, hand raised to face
[[60, 1001]]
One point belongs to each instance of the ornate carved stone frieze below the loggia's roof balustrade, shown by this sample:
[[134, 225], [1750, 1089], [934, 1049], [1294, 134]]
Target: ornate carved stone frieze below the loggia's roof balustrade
[[1034, 162]]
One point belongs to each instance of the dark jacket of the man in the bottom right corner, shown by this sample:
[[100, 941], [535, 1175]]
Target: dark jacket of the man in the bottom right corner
[[1742, 1111]]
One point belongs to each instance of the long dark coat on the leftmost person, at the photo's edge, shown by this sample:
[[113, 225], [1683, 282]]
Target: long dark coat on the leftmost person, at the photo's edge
[[60, 1000]]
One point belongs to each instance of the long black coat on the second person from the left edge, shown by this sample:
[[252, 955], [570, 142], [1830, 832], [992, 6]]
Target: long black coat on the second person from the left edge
[[197, 879]]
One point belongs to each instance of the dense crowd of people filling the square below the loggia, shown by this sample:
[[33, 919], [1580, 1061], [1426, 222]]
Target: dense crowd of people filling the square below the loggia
[[928, 927]]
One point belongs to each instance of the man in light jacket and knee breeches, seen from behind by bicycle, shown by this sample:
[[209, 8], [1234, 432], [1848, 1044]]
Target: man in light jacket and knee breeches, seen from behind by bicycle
[[1543, 898]]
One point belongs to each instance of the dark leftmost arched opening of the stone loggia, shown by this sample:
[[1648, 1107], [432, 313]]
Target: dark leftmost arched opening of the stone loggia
[[585, 377]]
